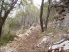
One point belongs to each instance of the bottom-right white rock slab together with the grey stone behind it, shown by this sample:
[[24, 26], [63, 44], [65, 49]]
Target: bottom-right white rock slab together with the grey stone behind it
[[62, 45]]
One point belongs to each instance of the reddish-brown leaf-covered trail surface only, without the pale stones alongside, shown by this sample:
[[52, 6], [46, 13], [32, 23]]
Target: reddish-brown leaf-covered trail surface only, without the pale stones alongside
[[28, 44]]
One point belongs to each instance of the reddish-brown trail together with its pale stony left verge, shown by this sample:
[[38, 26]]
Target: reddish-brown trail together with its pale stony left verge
[[26, 43]]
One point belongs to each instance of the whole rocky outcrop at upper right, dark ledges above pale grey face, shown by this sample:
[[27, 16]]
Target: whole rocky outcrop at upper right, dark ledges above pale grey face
[[62, 16]]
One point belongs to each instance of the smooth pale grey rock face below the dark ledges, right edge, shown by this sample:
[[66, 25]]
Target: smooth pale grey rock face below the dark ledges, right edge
[[63, 24]]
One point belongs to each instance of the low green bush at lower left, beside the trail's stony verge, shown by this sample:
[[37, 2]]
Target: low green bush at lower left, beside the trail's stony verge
[[6, 38]]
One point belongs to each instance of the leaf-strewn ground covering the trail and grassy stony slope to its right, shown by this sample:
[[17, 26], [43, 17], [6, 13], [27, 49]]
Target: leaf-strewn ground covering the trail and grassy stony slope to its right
[[28, 41]]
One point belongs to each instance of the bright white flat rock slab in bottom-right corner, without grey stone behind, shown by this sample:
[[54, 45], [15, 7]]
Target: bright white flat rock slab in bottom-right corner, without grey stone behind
[[61, 47]]
